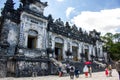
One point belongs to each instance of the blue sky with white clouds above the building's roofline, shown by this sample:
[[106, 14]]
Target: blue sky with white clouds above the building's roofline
[[101, 15]]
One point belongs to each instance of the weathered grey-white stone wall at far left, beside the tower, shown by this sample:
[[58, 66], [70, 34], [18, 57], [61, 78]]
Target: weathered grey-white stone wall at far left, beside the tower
[[8, 42]]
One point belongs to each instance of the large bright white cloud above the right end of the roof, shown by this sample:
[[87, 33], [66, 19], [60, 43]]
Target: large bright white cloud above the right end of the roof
[[103, 21]]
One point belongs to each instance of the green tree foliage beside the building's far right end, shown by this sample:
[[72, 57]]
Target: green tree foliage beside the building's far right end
[[113, 42]]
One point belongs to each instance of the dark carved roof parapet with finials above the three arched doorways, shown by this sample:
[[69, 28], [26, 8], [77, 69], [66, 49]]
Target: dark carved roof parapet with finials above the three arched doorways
[[72, 33]]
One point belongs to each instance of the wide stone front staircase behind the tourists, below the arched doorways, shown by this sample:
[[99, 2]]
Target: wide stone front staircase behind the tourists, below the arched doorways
[[96, 66]]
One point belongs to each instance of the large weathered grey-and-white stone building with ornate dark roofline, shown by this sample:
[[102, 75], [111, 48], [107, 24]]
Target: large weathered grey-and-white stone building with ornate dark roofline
[[28, 40]]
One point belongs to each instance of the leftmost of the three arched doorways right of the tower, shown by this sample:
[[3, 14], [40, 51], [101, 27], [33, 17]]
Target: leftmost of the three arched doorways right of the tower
[[59, 44]]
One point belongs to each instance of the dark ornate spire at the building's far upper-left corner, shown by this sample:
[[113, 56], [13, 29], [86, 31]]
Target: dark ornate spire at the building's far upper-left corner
[[9, 7]]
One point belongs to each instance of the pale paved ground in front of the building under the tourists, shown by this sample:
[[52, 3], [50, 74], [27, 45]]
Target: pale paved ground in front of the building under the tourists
[[96, 76]]
